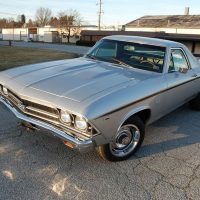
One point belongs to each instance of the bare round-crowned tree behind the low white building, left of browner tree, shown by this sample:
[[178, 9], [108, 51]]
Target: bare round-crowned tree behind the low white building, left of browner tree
[[43, 16]]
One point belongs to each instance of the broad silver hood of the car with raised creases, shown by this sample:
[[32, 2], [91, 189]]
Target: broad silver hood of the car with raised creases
[[76, 79]]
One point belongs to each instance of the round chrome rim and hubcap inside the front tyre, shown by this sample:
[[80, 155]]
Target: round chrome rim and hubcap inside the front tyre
[[126, 140]]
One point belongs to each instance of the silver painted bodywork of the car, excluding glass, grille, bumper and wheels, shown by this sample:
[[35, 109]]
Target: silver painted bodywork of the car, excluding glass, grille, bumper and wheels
[[106, 94]]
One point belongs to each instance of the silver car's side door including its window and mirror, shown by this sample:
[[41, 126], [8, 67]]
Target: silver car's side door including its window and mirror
[[180, 80]]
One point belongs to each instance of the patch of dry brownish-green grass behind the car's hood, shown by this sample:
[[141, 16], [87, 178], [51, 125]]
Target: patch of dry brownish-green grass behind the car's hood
[[17, 56]]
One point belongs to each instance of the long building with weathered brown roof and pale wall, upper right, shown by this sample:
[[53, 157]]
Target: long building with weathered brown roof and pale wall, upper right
[[182, 24]]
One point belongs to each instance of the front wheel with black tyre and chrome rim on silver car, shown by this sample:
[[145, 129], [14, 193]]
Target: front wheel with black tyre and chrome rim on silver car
[[126, 142]]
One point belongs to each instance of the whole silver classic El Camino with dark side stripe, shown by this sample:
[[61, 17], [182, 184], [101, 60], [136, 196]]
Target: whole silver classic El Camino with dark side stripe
[[104, 99]]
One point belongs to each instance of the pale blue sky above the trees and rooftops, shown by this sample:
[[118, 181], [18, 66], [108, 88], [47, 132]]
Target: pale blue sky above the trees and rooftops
[[116, 12]]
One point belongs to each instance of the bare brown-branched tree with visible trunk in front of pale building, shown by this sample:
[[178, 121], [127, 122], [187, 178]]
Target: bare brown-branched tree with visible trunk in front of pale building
[[69, 23]]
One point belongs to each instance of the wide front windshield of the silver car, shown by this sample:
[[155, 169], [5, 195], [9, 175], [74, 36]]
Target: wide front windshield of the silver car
[[141, 56]]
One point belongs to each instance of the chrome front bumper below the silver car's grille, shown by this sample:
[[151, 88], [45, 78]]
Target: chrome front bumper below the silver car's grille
[[82, 146]]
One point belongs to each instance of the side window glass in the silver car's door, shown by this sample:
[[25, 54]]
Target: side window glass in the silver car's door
[[178, 61]]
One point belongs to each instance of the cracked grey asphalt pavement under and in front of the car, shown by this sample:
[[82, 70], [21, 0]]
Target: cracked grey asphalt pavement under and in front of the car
[[34, 165]]
